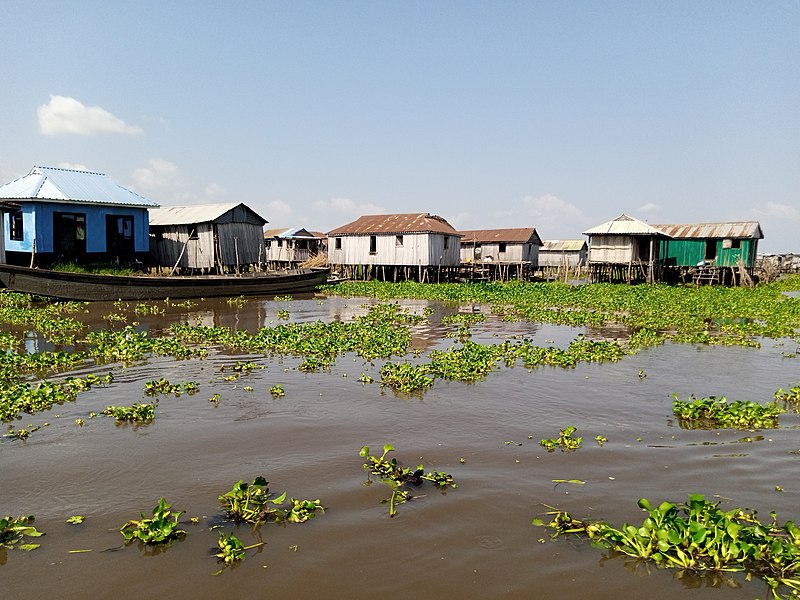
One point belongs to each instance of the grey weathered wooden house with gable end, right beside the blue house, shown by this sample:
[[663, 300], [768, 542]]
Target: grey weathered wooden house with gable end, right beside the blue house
[[207, 237]]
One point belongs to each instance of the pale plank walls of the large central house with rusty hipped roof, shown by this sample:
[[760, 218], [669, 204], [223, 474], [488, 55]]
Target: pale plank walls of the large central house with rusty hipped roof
[[415, 249]]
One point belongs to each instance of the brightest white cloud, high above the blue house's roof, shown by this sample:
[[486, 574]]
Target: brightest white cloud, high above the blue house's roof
[[65, 115]]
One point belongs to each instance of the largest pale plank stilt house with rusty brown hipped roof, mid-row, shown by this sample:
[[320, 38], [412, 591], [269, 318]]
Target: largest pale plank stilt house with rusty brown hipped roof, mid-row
[[409, 240]]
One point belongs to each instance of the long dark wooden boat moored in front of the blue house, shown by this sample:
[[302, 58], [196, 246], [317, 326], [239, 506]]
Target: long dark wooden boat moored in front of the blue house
[[91, 287]]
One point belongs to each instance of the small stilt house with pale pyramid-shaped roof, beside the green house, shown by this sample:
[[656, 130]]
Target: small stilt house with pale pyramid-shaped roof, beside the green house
[[624, 249]]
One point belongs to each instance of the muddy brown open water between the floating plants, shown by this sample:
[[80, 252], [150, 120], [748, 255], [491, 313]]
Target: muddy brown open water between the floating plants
[[474, 541]]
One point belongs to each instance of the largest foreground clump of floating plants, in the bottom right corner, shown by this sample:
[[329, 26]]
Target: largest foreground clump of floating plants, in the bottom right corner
[[698, 535]]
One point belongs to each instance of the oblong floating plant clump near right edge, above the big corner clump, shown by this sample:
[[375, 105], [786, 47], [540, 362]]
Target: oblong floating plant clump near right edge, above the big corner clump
[[712, 412]]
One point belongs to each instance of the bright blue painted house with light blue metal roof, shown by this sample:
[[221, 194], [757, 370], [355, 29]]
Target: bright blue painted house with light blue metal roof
[[69, 215]]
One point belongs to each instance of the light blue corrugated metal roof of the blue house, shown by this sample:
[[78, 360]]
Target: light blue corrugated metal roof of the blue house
[[68, 185]]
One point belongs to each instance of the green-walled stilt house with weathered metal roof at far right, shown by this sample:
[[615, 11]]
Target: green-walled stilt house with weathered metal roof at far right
[[711, 244]]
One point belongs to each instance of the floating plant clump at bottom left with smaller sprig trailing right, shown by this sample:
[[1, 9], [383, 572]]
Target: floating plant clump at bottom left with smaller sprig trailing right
[[251, 503]]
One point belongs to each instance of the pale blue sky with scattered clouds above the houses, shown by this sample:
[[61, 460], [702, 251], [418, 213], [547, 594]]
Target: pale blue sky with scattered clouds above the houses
[[558, 115]]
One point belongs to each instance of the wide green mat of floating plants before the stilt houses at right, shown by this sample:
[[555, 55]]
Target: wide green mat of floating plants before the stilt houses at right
[[663, 311]]
